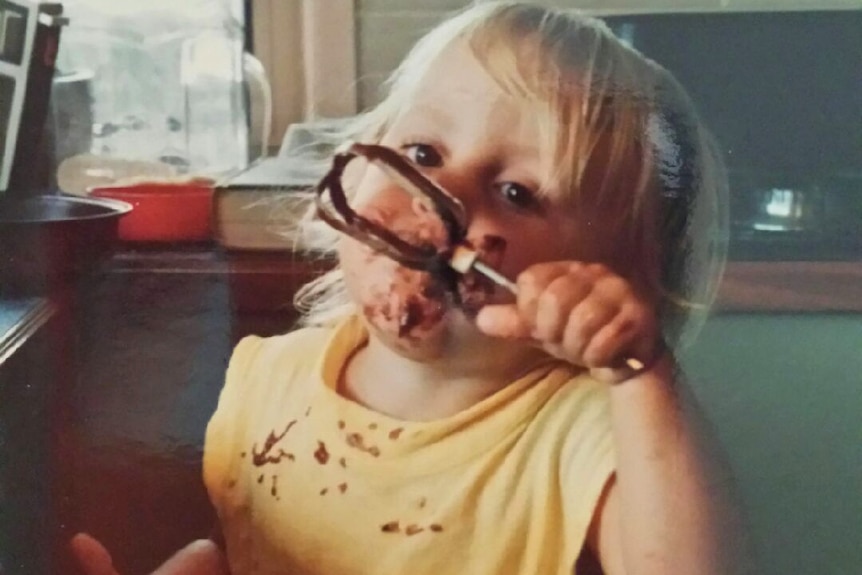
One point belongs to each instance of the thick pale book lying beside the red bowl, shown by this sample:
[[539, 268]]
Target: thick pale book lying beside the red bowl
[[257, 208]]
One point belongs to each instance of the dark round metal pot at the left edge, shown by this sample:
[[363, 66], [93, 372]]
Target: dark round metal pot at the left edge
[[48, 241]]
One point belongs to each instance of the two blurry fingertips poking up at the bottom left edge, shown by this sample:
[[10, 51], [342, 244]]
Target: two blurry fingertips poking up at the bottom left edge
[[200, 557]]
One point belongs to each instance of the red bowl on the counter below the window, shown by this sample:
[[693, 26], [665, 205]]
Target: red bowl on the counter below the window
[[163, 211]]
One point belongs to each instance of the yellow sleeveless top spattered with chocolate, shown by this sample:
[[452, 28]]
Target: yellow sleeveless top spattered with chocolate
[[306, 482]]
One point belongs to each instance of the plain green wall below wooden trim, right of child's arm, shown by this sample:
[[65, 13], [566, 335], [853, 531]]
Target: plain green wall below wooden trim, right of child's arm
[[784, 395]]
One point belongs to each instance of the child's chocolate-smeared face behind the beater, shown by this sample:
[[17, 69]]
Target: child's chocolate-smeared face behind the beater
[[482, 145]]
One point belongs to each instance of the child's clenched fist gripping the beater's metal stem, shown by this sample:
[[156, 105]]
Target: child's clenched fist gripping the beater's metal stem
[[582, 313]]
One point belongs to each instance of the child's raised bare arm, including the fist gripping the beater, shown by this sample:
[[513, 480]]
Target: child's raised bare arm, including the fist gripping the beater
[[662, 511]]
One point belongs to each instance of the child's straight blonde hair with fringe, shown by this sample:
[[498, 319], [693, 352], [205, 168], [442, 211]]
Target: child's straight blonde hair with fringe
[[621, 139]]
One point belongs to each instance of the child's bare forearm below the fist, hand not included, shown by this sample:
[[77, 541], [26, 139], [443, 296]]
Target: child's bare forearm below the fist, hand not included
[[664, 510]]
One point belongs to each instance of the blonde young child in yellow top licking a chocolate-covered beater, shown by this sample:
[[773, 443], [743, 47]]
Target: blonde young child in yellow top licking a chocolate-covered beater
[[510, 437]]
